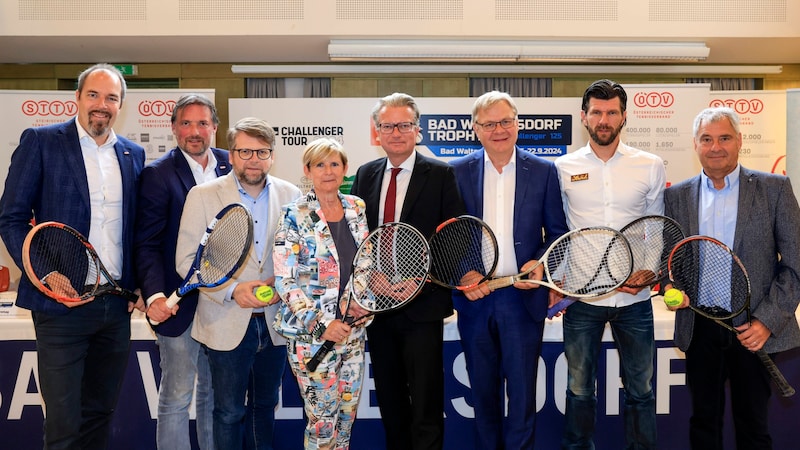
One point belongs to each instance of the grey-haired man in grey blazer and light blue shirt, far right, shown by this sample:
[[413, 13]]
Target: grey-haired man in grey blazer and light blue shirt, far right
[[756, 214]]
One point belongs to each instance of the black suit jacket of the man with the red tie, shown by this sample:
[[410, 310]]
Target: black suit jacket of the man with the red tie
[[432, 198]]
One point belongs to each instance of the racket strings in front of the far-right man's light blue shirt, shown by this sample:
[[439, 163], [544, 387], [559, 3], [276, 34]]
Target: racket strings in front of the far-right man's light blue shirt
[[713, 279]]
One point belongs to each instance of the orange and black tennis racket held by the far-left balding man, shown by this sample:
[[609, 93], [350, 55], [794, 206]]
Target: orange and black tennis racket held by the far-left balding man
[[63, 265]]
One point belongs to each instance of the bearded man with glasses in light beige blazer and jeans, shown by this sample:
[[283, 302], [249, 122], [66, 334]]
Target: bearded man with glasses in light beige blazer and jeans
[[247, 357]]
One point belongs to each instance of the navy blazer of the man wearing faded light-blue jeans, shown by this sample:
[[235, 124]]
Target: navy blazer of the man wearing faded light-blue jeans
[[162, 193]]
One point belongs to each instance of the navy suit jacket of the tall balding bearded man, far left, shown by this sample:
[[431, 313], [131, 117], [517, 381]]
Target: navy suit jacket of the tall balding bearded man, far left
[[47, 182]]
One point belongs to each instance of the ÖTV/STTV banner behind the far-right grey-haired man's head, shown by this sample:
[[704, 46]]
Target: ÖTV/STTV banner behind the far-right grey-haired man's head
[[762, 116]]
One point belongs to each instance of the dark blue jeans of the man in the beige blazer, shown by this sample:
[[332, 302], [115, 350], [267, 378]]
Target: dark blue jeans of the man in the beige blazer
[[246, 382]]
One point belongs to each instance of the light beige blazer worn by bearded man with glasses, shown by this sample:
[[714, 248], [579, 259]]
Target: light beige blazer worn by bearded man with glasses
[[221, 324]]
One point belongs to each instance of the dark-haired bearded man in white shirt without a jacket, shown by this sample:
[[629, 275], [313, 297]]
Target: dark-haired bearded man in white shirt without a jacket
[[610, 184]]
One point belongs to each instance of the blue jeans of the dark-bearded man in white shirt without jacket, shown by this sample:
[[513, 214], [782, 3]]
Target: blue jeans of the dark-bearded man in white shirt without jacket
[[632, 328]]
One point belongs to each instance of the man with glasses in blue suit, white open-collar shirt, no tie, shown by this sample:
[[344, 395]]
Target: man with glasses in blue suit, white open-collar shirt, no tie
[[518, 195]]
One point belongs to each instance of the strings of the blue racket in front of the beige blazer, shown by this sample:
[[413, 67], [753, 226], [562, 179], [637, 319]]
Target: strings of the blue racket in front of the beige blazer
[[227, 242]]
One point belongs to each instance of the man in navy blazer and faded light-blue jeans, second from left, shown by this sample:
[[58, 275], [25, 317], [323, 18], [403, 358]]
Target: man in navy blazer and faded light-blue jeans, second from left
[[162, 193]]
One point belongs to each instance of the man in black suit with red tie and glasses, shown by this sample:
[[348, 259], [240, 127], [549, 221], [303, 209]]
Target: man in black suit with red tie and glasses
[[406, 346]]
